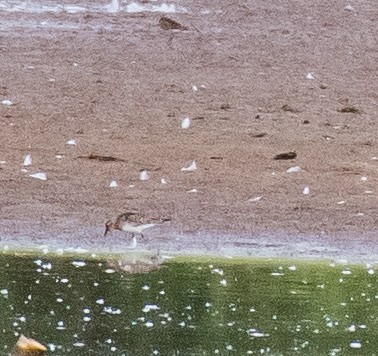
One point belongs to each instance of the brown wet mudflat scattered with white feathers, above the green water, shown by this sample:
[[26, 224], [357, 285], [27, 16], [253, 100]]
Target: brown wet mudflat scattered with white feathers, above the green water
[[120, 85]]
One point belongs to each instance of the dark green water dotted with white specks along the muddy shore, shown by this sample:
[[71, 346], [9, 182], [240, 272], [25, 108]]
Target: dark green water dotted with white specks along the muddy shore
[[91, 306]]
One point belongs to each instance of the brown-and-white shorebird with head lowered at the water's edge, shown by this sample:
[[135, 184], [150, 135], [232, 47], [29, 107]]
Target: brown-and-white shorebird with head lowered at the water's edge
[[133, 223]]
